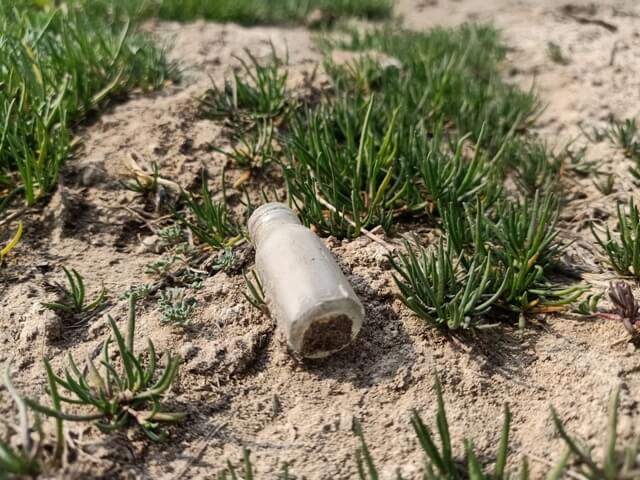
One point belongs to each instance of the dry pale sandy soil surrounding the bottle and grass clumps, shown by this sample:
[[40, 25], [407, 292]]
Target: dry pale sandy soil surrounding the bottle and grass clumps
[[239, 384]]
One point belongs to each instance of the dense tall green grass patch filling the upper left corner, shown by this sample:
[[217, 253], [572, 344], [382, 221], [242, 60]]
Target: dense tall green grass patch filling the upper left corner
[[56, 67]]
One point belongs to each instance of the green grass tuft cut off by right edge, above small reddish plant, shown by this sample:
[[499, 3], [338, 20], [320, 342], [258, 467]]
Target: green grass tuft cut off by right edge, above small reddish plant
[[623, 249]]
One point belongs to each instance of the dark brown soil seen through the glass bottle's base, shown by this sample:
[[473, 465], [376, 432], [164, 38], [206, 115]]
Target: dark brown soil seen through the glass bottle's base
[[327, 335]]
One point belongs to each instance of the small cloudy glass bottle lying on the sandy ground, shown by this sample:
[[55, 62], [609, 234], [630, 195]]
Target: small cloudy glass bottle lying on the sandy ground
[[307, 293]]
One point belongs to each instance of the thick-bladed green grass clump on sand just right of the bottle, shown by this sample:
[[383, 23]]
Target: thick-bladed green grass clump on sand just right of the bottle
[[493, 262]]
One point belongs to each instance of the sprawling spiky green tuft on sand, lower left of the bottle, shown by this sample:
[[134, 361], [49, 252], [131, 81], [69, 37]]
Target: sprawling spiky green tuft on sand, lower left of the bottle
[[115, 395]]
